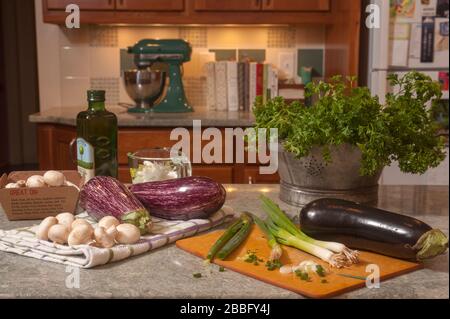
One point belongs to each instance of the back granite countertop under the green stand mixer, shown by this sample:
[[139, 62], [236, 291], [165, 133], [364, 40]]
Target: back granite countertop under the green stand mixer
[[67, 116]]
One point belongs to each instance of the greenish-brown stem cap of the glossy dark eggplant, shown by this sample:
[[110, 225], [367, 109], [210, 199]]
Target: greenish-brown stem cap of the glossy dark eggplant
[[431, 244]]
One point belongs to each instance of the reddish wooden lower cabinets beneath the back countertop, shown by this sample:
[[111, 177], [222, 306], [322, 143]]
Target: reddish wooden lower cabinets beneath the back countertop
[[54, 153]]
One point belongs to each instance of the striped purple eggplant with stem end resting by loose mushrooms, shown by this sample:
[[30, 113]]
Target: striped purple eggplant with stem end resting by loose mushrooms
[[105, 196]]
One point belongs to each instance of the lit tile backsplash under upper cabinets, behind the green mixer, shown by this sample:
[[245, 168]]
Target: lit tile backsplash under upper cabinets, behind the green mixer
[[95, 56]]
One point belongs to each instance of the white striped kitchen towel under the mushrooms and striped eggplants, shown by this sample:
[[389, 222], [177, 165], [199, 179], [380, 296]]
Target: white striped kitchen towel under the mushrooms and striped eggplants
[[23, 241]]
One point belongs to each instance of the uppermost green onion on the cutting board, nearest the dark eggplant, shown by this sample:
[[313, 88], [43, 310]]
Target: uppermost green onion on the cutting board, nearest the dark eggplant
[[279, 218]]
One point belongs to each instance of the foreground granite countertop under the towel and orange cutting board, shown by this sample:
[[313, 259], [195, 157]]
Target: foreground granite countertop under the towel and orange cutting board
[[167, 272]]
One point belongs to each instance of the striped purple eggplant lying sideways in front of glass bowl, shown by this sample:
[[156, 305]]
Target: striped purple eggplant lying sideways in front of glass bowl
[[182, 198]]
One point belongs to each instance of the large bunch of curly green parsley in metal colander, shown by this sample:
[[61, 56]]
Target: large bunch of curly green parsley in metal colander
[[402, 130]]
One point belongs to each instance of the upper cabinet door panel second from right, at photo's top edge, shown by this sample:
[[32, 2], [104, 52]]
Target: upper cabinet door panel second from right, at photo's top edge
[[229, 5]]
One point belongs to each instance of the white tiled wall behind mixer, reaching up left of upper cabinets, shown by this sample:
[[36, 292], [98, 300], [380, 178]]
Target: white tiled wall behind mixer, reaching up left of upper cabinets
[[70, 61]]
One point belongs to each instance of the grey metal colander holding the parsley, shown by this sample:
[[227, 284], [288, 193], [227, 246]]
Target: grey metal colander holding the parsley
[[311, 177]]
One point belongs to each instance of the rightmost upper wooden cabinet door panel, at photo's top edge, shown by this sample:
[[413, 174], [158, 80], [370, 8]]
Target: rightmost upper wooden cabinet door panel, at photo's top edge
[[295, 5]]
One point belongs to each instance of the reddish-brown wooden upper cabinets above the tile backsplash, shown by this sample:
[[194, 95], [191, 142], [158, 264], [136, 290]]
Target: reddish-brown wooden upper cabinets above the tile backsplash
[[340, 19]]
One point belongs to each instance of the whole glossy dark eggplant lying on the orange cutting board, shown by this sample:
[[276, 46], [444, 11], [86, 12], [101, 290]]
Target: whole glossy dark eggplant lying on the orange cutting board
[[369, 228]]
